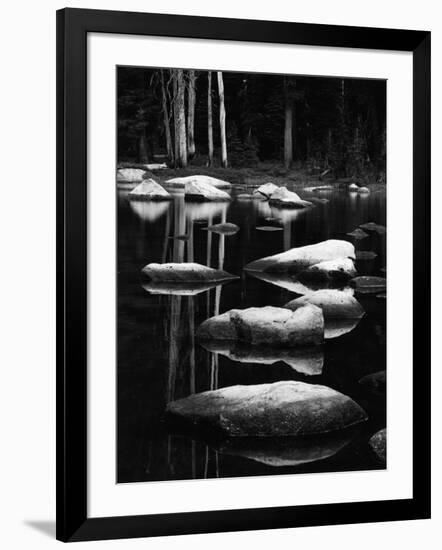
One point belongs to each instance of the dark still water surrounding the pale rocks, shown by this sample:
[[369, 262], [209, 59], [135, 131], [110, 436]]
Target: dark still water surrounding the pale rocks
[[159, 359]]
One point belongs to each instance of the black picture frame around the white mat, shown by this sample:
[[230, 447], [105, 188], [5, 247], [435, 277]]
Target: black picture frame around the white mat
[[73, 25]]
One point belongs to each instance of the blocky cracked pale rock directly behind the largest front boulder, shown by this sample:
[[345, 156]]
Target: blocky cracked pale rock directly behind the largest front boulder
[[272, 326]]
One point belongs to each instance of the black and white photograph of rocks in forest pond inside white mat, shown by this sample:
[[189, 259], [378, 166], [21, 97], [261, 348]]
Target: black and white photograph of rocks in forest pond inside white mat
[[251, 285]]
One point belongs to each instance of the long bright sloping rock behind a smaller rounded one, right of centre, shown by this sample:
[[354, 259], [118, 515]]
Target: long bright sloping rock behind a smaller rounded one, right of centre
[[298, 259]]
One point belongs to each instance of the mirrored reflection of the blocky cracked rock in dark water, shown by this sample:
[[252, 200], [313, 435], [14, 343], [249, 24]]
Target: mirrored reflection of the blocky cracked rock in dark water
[[307, 361]]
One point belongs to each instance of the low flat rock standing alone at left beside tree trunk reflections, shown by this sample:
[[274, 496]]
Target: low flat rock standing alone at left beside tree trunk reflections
[[185, 273]]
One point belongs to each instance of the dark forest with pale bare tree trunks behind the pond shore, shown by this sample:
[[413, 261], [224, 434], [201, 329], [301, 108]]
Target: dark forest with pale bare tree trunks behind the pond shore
[[322, 125]]
